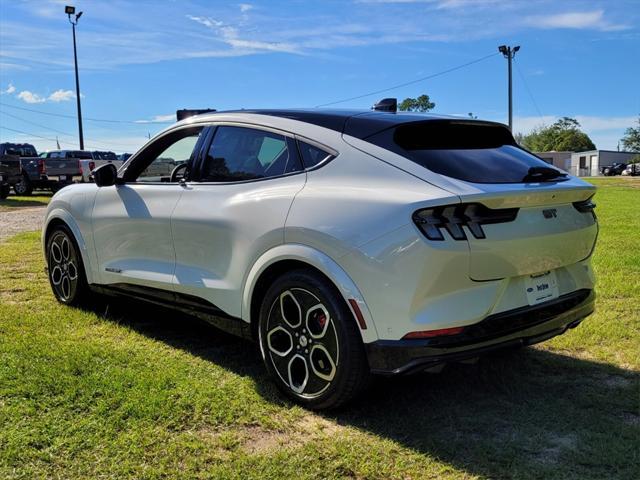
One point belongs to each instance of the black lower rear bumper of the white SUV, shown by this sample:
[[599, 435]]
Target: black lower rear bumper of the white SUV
[[522, 326]]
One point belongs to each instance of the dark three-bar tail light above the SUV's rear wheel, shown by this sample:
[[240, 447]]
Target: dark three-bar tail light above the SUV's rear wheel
[[433, 221]]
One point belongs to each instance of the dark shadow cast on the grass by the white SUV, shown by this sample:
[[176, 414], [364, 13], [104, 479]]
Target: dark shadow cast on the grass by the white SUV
[[529, 413]]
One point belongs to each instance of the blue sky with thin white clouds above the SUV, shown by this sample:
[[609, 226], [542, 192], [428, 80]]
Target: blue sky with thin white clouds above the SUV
[[140, 61]]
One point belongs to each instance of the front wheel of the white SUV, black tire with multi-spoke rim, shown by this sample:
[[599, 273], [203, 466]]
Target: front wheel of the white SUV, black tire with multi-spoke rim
[[65, 268]]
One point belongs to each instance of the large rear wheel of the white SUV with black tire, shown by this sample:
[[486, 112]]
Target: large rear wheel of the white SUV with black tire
[[313, 351]]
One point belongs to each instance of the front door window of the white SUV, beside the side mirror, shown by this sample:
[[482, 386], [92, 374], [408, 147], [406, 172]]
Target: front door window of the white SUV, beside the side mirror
[[159, 159]]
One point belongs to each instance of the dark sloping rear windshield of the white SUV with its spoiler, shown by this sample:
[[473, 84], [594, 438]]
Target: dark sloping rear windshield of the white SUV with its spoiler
[[475, 152]]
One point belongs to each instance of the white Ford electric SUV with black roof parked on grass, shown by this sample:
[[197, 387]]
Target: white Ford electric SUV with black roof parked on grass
[[344, 242]]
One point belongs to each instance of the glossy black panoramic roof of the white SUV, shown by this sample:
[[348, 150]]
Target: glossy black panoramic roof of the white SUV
[[356, 123]]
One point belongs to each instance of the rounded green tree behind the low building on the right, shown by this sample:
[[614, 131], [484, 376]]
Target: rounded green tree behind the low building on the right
[[563, 135]]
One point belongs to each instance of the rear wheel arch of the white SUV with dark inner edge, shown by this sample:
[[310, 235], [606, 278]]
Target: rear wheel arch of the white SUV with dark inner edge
[[289, 257]]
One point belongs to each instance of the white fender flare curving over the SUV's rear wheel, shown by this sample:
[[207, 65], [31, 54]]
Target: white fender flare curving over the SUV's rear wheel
[[323, 263]]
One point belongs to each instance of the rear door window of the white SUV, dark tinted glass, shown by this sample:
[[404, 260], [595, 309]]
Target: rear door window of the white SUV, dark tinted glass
[[240, 154]]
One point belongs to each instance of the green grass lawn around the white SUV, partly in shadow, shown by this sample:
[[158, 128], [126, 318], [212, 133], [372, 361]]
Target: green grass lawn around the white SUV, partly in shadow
[[130, 391]]
